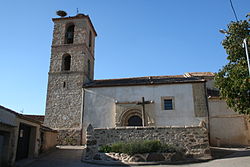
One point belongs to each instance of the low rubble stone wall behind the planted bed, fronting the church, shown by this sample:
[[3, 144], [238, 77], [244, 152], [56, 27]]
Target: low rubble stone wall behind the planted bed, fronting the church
[[194, 140]]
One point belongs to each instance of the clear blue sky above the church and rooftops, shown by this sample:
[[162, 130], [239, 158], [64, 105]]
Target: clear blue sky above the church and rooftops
[[135, 38]]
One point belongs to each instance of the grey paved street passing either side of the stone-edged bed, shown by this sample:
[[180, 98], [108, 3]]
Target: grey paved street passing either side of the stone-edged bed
[[70, 157]]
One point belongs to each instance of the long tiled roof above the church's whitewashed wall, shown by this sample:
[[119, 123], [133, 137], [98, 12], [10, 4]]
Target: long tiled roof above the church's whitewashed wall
[[150, 80]]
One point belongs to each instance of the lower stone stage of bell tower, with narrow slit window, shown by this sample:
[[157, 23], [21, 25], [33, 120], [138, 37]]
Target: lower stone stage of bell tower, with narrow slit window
[[63, 108]]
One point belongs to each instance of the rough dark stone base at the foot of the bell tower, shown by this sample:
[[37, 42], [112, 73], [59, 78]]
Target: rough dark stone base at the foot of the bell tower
[[69, 137]]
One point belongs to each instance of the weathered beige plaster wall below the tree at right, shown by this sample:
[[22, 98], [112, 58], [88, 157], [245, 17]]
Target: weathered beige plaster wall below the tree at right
[[227, 128]]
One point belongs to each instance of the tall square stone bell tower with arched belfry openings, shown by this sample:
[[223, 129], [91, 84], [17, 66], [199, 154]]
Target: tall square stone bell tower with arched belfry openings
[[71, 65]]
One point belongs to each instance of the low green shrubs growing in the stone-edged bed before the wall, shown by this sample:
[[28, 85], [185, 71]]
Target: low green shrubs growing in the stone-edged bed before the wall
[[139, 147]]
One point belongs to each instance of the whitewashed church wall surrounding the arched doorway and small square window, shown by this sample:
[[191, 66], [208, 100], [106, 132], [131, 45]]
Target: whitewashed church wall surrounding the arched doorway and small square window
[[99, 104]]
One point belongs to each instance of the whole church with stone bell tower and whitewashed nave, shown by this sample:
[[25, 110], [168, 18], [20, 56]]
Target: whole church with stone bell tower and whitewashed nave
[[75, 99]]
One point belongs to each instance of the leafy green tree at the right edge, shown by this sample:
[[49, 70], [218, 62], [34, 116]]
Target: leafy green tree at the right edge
[[233, 79]]
